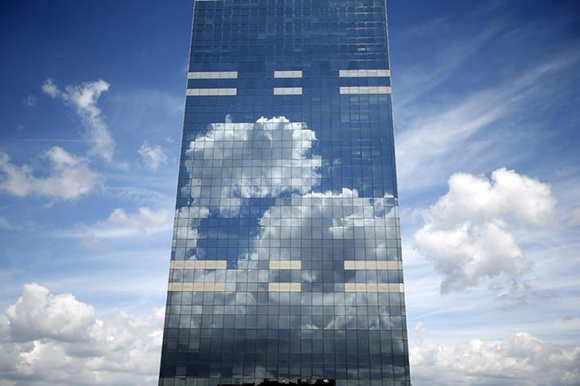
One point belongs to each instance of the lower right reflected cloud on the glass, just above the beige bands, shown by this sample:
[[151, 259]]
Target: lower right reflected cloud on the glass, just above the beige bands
[[365, 228]]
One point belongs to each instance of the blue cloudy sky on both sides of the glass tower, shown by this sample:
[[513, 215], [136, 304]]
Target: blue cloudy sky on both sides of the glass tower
[[487, 118]]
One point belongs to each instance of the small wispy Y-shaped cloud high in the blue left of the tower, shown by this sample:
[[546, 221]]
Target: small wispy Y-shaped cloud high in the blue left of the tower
[[83, 98]]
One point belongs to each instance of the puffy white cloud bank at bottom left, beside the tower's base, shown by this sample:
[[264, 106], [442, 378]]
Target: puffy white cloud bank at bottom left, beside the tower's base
[[52, 339]]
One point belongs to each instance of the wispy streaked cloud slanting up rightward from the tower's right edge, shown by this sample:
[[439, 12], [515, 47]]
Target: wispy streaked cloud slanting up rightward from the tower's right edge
[[460, 131]]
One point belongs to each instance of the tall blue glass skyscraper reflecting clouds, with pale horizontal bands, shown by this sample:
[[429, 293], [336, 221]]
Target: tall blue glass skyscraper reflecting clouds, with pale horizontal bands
[[286, 258]]
